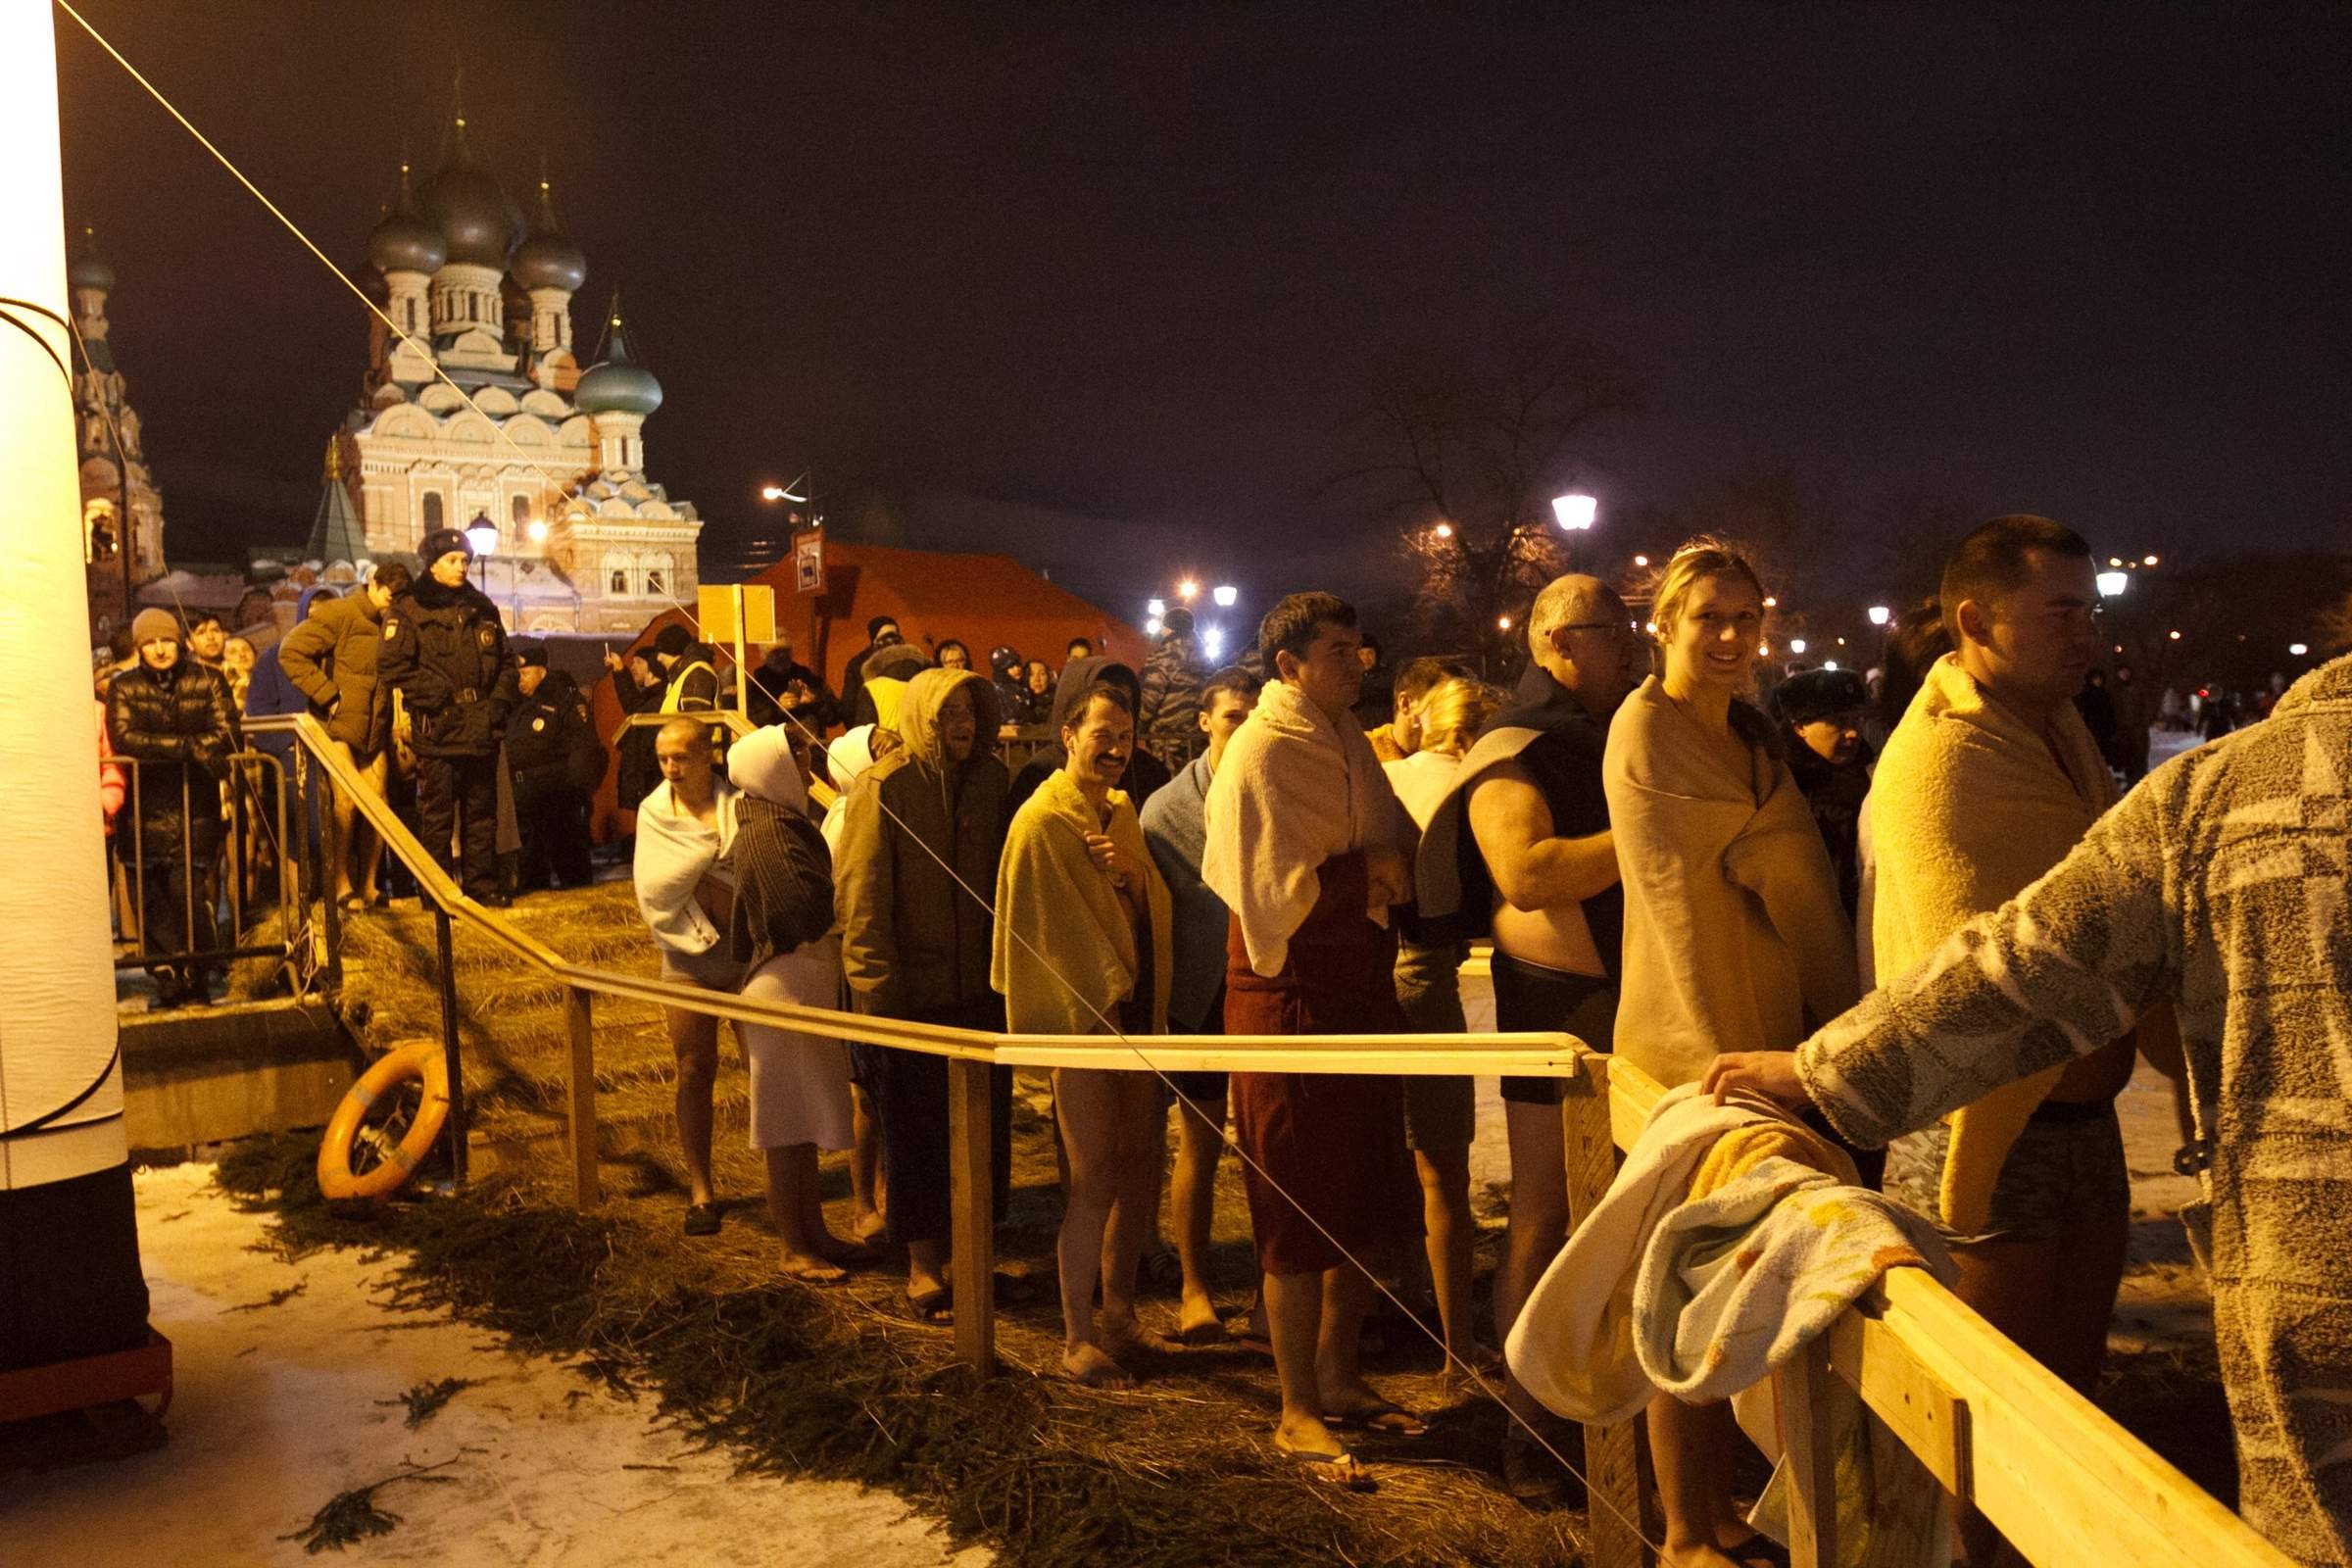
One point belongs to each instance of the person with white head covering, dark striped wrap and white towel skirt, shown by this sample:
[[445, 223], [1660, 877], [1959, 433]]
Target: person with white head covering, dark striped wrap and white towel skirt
[[782, 932]]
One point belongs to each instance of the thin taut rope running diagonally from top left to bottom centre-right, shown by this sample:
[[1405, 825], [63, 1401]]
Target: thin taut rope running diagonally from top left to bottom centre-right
[[1109, 1024]]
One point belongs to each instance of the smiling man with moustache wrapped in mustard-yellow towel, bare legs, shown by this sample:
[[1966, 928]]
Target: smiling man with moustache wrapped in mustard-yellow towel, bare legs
[[1083, 949]]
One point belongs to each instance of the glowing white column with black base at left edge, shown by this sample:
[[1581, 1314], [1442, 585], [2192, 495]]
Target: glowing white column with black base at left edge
[[69, 1245]]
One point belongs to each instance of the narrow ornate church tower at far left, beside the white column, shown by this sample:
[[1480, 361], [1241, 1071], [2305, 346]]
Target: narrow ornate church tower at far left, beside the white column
[[107, 445]]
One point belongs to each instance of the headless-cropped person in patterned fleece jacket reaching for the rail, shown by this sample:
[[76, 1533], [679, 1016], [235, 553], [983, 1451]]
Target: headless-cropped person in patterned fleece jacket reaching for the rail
[[2214, 887]]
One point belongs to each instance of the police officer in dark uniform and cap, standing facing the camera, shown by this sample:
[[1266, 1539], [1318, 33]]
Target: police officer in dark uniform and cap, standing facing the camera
[[446, 655]]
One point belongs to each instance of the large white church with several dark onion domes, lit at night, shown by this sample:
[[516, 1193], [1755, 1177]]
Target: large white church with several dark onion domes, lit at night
[[526, 450]]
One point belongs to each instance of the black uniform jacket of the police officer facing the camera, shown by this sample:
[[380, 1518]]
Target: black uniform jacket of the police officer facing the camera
[[446, 655]]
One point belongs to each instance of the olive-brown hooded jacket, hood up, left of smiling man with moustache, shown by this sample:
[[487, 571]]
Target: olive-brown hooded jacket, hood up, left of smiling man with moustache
[[914, 942]]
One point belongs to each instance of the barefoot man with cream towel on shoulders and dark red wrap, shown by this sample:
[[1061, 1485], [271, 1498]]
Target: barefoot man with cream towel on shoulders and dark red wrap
[[1311, 850]]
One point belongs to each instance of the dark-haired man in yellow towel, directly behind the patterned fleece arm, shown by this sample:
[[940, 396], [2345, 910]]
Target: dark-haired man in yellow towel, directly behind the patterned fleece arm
[[1986, 784]]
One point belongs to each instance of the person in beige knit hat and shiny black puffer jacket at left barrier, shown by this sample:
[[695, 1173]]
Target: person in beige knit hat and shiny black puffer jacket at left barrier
[[171, 716]]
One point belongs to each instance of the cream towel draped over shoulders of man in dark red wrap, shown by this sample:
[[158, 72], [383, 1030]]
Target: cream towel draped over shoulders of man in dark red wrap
[[1292, 791]]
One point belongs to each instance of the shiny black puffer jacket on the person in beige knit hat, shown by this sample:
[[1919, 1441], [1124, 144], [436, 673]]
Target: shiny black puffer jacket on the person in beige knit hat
[[180, 725]]
